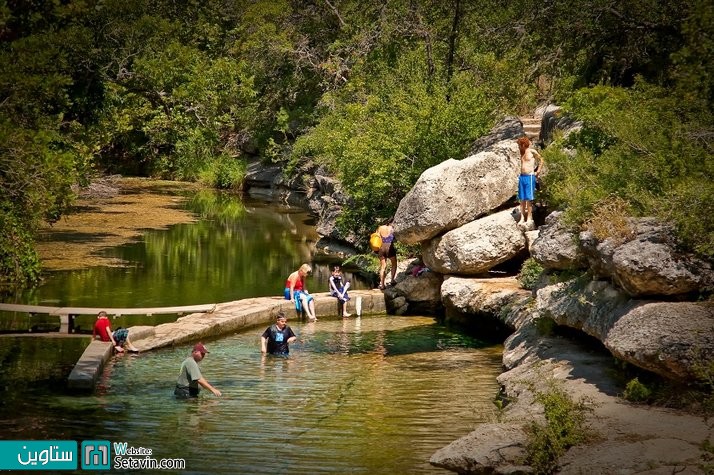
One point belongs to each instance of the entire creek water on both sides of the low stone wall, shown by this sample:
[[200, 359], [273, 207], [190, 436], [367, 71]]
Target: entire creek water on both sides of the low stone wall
[[375, 395]]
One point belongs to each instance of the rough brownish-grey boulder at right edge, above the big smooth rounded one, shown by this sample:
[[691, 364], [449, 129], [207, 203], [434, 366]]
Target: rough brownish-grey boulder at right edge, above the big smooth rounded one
[[648, 263]]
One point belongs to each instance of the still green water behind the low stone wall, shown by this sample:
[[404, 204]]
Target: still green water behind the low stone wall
[[238, 248]]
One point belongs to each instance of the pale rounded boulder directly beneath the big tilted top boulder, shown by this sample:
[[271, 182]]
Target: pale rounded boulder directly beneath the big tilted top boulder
[[475, 247]]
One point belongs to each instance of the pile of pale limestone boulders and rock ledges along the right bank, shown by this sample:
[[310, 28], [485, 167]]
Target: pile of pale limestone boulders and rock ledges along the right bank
[[636, 298]]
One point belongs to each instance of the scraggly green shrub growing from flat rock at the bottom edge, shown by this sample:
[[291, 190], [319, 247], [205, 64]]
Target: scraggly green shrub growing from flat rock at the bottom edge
[[565, 426]]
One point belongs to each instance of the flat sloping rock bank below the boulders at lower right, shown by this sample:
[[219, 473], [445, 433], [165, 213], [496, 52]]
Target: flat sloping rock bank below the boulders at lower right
[[620, 437]]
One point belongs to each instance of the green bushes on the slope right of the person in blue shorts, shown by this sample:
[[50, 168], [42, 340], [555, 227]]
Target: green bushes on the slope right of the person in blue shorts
[[638, 148]]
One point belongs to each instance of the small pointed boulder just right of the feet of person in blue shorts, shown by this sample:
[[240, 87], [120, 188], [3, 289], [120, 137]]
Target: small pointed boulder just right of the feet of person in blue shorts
[[556, 246]]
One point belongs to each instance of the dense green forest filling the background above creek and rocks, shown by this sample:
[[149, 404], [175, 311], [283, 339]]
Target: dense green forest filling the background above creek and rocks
[[375, 91]]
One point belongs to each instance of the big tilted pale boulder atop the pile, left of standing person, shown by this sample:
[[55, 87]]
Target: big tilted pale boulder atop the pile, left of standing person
[[456, 192]]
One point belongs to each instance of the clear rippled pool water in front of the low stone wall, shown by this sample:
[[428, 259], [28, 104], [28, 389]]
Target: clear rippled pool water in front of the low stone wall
[[376, 395]]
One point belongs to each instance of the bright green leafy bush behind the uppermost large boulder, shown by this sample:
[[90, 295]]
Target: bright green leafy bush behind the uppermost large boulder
[[380, 137]]
